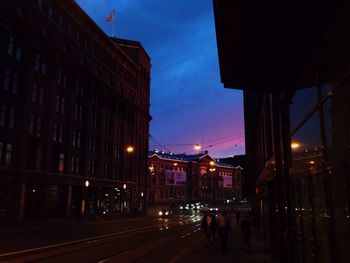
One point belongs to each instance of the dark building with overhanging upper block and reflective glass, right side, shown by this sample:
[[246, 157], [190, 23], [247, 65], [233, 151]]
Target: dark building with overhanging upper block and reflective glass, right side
[[292, 60]]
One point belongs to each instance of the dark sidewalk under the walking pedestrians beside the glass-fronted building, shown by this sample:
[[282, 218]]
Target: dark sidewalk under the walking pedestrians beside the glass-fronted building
[[257, 254]]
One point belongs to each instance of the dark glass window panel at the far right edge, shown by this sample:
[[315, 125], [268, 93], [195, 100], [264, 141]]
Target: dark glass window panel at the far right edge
[[336, 112]]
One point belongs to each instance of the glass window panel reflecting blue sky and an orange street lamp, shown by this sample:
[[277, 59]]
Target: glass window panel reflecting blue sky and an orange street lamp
[[309, 176]]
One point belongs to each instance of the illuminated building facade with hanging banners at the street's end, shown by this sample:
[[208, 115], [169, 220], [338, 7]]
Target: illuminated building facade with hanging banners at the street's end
[[198, 178]]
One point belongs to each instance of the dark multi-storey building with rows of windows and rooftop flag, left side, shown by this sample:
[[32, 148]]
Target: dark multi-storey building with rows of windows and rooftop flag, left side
[[71, 101]]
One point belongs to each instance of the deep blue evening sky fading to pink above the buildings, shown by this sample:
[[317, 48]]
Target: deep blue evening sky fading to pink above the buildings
[[188, 103]]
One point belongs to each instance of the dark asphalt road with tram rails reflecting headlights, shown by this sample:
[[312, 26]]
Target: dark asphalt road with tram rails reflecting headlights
[[136, 240]]
